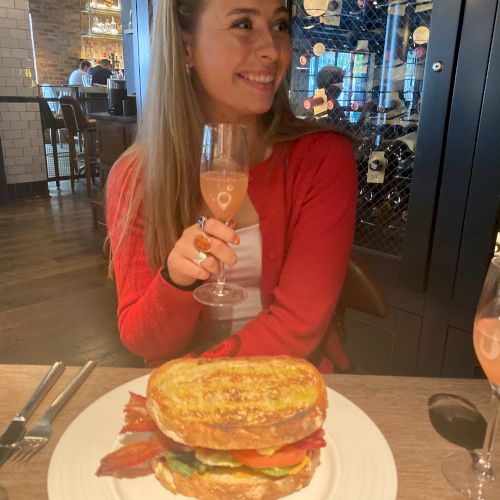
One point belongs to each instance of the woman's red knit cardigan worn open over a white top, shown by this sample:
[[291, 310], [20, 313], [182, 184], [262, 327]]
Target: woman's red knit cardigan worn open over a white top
[[306, 207]]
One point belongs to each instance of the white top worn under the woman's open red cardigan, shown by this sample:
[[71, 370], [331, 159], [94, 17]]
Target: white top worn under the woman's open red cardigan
[[247, 272]]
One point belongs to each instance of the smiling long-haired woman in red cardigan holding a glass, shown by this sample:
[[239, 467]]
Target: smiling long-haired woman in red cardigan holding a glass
[[225, 61]]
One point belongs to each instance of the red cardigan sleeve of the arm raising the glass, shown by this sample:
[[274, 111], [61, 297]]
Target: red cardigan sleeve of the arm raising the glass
[[155, 319]]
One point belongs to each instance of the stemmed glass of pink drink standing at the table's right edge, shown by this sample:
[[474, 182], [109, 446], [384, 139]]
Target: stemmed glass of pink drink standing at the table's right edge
[[471, 473]]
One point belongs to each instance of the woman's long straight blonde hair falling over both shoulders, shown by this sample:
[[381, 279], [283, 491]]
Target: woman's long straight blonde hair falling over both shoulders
[[167, 150]]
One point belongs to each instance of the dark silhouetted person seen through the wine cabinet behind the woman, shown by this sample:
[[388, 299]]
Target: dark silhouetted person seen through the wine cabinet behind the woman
[[331, 79]]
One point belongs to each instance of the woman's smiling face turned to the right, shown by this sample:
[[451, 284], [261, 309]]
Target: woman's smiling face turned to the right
[[239, 55]]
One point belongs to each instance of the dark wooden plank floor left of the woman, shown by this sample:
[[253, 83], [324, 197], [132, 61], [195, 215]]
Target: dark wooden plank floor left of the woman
[[56, 302]]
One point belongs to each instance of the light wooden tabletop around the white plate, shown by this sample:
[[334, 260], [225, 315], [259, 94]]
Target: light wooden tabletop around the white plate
[[397, 405]]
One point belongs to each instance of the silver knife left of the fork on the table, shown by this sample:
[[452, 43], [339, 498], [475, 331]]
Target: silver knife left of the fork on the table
[[17, 428]]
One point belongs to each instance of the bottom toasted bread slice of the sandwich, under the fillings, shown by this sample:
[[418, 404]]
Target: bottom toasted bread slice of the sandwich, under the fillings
[[230, 485]]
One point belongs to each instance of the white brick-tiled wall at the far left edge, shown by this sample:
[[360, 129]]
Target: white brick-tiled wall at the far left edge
[[20, 127]]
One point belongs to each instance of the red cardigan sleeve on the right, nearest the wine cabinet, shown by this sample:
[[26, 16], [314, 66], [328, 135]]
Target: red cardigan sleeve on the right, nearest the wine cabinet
[[320, 185]]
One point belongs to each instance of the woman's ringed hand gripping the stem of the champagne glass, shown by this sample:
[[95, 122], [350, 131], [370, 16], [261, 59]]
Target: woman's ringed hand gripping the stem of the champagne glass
[[180, 263]]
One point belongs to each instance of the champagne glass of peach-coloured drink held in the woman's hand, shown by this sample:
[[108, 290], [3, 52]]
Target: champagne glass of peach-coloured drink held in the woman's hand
[[223, 183]]
